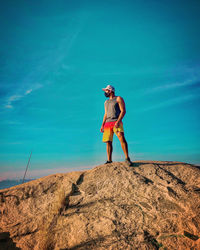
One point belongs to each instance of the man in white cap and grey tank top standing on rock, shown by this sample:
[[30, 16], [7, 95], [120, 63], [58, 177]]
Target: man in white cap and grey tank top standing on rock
[[112, 123]]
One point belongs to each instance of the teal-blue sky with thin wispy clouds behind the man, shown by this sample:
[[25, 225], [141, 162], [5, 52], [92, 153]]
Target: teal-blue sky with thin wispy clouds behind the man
[[56, 56]]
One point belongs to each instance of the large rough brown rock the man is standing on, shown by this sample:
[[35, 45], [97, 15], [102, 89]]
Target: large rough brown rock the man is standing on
[[150, 205]]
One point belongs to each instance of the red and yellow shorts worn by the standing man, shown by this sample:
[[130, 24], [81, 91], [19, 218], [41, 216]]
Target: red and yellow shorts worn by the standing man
[[109, 130]]
